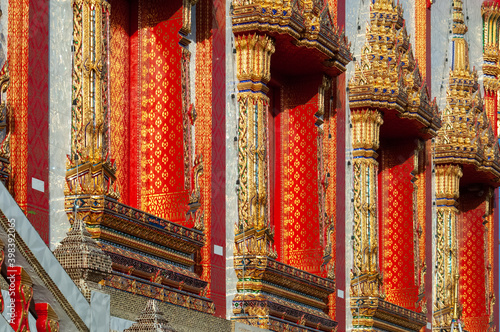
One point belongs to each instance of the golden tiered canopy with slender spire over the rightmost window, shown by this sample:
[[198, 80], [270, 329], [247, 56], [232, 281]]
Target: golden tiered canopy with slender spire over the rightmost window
[[467, 136]]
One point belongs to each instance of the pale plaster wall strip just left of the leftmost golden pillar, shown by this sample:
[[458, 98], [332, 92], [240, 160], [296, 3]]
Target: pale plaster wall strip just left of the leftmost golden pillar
[[60, 34]]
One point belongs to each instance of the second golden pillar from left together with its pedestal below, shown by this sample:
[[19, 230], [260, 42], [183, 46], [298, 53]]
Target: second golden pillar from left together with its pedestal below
[[253, 233]]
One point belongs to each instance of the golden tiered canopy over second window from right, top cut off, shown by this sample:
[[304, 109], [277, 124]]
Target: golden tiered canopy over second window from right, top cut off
[[387, 77]]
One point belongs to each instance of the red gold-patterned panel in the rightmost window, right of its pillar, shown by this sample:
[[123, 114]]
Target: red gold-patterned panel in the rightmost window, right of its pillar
[[472, 262]]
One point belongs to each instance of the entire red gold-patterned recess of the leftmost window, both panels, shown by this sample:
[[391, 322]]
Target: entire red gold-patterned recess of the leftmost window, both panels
[[146, 102]]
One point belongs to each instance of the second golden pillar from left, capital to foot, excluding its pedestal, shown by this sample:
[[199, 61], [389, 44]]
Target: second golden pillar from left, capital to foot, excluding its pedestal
[[253, 53]]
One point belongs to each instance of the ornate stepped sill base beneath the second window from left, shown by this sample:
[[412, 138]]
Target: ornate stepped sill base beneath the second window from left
[[268, 288]]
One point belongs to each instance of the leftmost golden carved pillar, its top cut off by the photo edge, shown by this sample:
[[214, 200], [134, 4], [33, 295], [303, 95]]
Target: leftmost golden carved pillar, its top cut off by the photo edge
[[90, 169]]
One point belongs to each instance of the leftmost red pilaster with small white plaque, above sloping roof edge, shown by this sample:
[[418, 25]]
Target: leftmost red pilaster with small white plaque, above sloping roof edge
[[28, 98]]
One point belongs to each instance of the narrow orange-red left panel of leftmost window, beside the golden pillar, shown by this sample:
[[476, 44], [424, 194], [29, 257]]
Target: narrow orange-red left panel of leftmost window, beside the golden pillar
[[119, 70]]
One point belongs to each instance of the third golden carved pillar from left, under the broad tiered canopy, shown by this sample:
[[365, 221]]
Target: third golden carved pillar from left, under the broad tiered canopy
[[365, 140]]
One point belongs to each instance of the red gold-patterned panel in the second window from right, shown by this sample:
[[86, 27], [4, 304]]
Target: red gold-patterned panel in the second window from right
[[397, 259]]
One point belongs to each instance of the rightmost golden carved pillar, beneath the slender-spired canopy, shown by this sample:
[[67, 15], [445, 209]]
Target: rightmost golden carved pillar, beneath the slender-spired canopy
[[447, 179]]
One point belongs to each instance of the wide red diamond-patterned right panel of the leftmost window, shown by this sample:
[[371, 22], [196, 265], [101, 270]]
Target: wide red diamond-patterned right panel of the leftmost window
[[160, 106]]
